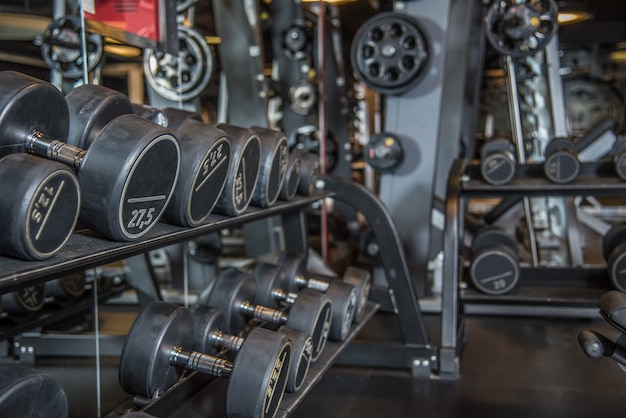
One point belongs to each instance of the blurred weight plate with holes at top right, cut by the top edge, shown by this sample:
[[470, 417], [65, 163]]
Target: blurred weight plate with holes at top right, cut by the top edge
[[521, 27]]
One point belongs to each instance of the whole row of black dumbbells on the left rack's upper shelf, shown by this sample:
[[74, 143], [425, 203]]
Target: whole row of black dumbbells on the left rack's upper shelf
[[118, 173]]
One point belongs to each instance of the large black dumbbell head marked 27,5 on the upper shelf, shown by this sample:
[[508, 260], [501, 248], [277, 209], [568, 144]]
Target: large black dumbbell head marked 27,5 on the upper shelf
[[127, 177]]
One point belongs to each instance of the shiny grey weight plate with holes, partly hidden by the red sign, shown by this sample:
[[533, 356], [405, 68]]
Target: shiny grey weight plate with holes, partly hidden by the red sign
[[181, 77]]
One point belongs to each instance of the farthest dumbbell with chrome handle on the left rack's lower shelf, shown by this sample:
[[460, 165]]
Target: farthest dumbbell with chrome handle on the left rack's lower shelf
[[295, 269]]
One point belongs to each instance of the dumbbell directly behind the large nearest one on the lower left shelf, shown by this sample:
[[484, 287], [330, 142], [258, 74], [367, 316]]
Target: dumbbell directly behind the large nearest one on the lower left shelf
[[208, 324]]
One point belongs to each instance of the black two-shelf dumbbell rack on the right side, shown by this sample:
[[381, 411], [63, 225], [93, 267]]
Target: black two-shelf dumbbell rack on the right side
[[541, 290]]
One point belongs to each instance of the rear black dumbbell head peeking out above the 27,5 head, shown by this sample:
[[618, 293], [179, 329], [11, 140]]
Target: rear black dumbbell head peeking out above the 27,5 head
[[91, 108]]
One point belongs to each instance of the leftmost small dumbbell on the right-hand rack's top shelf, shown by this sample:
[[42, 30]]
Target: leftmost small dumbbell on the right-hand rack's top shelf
[[497, 162]]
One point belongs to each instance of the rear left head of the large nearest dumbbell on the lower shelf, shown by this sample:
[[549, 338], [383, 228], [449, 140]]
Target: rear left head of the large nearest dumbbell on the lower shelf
[[145, 368]]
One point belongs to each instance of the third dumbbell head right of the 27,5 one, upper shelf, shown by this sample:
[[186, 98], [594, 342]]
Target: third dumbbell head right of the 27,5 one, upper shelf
[[273, 166]]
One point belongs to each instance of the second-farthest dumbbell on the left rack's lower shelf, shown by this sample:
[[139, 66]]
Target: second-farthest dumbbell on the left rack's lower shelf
[[272, 281]]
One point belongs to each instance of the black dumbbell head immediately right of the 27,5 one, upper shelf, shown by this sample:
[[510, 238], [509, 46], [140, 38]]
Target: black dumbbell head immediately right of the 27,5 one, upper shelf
[[205, 154]]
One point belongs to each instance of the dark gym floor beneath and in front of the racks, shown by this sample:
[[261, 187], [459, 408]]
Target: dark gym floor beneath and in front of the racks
[[511, 367]]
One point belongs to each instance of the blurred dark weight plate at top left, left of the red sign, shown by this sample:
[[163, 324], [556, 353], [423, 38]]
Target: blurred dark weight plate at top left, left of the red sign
[[61, 47]]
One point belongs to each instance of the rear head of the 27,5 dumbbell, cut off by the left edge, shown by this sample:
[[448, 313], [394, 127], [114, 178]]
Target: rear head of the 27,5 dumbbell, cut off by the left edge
[[28, 104]]
